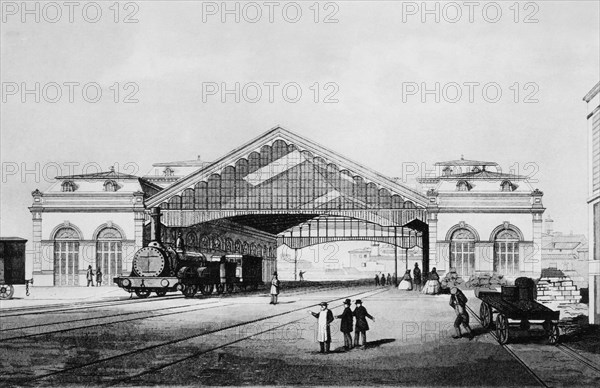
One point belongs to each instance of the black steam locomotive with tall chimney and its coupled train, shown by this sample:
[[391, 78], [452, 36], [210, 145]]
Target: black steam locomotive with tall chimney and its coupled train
[[162, 268]]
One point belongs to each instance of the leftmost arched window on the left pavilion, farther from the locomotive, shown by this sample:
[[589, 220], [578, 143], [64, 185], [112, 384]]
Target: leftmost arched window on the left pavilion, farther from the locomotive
[[66, 257]]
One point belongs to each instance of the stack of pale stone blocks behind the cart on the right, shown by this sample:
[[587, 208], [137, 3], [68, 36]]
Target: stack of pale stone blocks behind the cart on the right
[[554, 286]]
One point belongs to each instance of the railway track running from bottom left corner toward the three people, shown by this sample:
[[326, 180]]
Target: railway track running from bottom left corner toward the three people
[[71, 374]]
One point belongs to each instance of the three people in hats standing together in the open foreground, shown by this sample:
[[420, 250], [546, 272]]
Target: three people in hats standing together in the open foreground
[[325, 318]]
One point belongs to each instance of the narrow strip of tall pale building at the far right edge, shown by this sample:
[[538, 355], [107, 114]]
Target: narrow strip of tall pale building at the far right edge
[[592, 98]]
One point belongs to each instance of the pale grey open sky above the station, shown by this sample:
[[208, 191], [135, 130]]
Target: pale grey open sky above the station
[[150, 84]]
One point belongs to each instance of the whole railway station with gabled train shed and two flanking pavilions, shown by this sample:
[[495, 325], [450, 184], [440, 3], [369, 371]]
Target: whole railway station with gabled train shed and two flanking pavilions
[[281, 188]]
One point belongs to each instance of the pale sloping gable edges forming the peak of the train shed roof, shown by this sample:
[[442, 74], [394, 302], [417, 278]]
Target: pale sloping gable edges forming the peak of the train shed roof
[[301, 142]]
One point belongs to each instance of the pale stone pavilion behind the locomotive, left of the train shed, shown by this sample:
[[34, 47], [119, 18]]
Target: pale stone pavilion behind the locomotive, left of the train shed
[[87, 220]]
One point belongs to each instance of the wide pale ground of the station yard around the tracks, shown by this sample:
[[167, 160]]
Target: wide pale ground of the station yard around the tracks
[[409, 344]]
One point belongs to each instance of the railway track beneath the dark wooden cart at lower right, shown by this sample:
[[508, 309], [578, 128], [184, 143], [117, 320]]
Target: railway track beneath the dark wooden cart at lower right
[[580, 360]]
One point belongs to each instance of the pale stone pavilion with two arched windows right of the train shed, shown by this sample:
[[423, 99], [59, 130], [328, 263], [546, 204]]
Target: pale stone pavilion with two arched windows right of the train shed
[[483, 220]]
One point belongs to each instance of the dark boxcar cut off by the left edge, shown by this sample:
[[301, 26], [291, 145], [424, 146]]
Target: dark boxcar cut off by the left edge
[[12, 265]]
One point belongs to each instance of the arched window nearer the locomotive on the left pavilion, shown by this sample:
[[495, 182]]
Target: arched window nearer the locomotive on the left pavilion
[[109, 254]]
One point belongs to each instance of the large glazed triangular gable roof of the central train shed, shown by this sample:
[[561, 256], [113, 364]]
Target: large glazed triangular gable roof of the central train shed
[[286, 185]]
